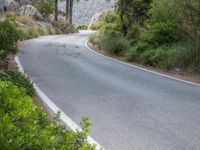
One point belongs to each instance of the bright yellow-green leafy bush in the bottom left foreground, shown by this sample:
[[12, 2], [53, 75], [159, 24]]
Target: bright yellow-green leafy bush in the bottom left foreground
[[25, 126]]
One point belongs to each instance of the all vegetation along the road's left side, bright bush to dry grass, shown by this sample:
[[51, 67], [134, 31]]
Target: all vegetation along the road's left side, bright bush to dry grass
[[24, 124]]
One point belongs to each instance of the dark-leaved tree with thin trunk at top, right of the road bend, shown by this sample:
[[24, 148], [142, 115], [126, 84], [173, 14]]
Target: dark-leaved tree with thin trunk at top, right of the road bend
[[131, 11]]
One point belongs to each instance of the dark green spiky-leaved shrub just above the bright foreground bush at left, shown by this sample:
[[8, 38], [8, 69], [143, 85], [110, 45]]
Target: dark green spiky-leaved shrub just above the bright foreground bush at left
[[19, 79]]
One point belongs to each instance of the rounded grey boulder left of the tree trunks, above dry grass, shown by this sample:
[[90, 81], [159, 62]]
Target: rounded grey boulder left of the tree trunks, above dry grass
[[31, 11]]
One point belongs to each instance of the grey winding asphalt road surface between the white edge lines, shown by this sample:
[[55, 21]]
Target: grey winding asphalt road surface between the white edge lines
[[131, 109]]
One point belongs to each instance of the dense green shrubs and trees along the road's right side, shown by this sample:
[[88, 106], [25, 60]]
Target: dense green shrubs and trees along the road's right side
[[163, 34]]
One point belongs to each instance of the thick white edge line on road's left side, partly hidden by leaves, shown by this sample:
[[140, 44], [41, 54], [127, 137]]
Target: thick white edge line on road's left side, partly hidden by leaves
[[69, 122]]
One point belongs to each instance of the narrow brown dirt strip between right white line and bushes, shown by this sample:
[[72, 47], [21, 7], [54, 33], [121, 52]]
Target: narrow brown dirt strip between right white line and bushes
[[192, 77]]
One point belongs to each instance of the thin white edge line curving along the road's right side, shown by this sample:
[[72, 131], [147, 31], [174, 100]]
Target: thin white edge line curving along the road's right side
[[160, 74]]
